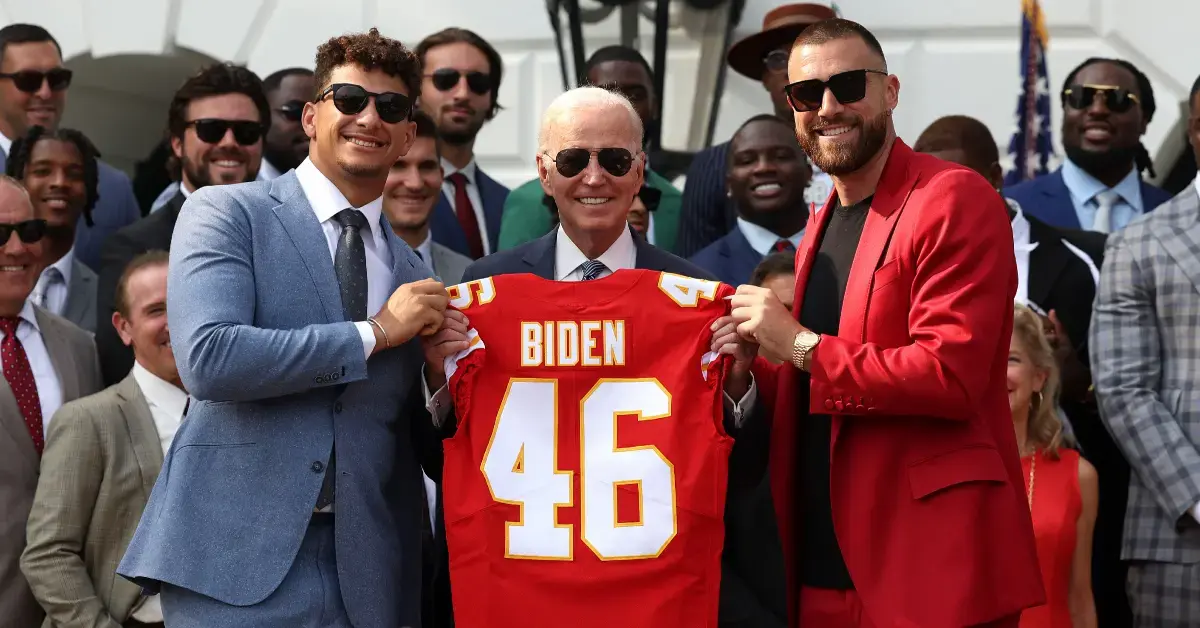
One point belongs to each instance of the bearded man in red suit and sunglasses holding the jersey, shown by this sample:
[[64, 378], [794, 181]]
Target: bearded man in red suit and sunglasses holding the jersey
[[893, 462]]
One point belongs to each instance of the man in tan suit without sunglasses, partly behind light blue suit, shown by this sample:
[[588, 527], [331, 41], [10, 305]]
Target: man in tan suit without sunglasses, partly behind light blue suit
[[101, 462]]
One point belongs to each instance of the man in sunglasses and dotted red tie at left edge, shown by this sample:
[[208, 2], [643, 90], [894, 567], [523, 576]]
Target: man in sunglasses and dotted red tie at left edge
[[46, 361]]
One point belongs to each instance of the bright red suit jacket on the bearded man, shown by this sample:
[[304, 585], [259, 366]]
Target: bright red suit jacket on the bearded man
[[928, 494]]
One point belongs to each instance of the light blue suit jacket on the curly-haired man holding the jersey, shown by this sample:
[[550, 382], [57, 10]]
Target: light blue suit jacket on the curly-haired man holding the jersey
[[278, 376]]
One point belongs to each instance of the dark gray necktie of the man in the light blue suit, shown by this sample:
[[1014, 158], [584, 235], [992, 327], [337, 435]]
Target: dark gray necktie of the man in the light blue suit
[[351, 267]]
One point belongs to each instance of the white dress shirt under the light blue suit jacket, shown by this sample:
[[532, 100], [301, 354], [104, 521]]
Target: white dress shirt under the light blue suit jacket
[[327, 201]]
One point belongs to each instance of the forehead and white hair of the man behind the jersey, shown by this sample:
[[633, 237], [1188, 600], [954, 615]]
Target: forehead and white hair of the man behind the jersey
[[577, 110]]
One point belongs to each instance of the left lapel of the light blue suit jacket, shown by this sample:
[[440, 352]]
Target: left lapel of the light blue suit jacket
[[299, 220]]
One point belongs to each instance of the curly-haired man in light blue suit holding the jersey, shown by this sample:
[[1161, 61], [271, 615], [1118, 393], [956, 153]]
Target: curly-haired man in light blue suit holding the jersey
[[292, 494]]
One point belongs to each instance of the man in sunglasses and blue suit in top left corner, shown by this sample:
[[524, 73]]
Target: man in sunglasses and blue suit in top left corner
[[34, 92]]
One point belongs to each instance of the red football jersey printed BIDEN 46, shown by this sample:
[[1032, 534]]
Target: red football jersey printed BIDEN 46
[[586, 483]]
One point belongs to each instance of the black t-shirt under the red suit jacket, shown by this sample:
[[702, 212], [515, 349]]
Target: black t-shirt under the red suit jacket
[[821, 561]]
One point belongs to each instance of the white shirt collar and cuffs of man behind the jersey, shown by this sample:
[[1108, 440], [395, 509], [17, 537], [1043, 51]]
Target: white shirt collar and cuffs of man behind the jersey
[[568, 260]]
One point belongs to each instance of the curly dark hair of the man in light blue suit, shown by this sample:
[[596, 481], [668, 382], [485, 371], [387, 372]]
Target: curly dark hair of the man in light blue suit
[[369, 51]]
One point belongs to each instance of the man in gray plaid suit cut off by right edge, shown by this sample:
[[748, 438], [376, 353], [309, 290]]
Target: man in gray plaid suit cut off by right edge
[[1145, 357]]
